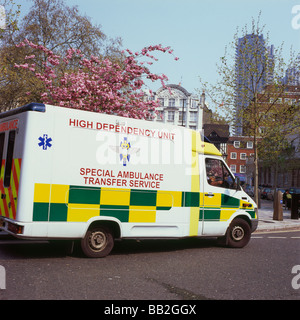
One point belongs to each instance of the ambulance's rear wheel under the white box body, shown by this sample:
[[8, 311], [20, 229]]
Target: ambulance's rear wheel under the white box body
[[98, 242]]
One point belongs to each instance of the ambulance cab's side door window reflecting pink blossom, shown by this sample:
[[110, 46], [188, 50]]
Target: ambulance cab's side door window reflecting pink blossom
[[218, 174]]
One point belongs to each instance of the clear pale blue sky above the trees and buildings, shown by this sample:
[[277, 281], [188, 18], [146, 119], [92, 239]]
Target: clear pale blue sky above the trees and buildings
[[197, 30]]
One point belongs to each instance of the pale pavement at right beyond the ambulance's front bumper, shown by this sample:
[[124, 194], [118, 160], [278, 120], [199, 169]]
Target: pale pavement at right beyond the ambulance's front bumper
[[266, 222]]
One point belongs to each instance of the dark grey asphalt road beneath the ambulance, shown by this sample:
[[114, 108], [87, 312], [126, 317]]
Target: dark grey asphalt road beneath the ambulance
[[190, 269]]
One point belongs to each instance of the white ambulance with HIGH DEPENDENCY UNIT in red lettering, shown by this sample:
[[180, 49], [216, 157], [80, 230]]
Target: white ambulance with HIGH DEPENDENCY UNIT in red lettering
[[96, 178]]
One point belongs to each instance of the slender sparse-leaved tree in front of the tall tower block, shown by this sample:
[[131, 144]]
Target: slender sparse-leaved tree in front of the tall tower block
[[250, 86]]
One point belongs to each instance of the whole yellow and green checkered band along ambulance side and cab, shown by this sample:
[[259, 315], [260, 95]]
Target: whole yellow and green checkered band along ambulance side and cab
[[78, 204]]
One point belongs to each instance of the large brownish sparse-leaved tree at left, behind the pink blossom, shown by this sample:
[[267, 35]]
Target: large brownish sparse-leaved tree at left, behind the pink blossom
[[51, 24]]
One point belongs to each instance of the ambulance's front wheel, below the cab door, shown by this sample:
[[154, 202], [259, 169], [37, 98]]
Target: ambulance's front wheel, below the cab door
[[238, 234]]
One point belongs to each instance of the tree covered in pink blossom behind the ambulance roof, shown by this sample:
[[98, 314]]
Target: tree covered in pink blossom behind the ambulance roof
[[96, 85]]
